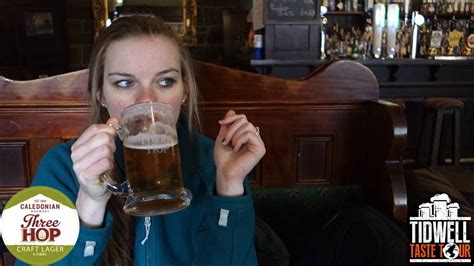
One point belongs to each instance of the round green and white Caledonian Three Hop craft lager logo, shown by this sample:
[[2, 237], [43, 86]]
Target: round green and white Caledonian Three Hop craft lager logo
[[40, 225]]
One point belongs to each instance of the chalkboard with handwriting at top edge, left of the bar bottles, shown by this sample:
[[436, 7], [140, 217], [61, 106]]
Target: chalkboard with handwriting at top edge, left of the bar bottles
[[292, 11]]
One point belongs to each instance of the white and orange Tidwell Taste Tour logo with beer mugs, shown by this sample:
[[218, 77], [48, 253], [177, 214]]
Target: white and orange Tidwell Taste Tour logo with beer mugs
[[438, 234]]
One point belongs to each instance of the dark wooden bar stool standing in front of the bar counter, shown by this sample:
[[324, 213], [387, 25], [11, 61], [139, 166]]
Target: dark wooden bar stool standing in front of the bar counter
[[436, 108]]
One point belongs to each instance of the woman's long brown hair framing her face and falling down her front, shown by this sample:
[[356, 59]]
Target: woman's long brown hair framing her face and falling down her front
[[120, 247]]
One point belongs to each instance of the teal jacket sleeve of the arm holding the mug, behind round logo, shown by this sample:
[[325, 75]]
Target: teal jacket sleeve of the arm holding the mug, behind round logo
[[55, 171]]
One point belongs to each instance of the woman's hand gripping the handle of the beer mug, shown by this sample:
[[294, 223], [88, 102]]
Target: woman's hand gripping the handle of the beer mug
[[92, 155]]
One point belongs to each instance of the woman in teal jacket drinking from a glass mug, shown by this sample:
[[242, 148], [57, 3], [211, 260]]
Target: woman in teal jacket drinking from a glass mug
[[139, 59]]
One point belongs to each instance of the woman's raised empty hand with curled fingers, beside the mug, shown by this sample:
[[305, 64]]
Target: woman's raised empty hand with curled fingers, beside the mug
[[237, 150]]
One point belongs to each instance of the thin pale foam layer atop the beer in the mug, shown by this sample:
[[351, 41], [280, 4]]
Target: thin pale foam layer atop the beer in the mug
[[145, 141]]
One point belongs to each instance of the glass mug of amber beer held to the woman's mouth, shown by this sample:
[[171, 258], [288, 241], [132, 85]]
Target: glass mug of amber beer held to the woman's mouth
[[154, 184]]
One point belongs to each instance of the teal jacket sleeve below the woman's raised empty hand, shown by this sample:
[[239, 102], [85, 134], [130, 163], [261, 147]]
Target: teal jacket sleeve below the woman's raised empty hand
[[226, 234]]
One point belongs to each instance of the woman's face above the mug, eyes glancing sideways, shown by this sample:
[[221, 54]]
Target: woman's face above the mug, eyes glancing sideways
[[142, 69]]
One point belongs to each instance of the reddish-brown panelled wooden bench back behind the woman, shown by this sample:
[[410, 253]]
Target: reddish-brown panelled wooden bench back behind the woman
[[329, 128]]
